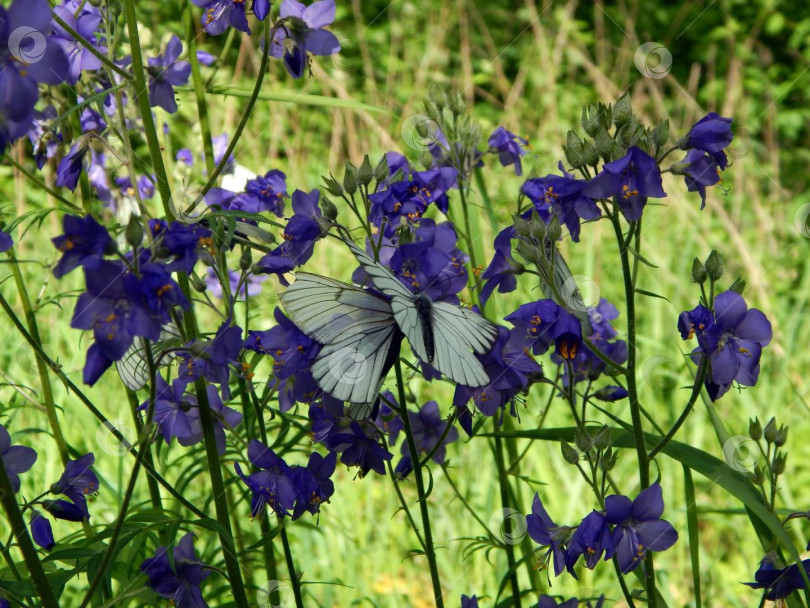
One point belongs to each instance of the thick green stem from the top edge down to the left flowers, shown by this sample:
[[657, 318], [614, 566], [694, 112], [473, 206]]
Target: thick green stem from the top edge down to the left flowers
[[142, 97]]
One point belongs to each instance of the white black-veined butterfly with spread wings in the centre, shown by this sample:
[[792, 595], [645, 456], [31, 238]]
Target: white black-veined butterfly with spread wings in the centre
[[361, 331]]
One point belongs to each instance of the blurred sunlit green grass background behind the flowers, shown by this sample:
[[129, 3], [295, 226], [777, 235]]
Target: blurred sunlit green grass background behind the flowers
[[529, 66]]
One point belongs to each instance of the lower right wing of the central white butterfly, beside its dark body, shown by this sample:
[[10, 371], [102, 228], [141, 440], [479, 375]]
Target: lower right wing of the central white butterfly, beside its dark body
[[458, 333]]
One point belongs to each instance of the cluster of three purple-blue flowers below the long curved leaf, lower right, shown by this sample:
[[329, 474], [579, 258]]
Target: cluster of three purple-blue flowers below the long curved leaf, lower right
[[626, 528]]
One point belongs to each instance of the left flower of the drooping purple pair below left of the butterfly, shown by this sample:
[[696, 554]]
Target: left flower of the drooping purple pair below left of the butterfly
[[272, 485]]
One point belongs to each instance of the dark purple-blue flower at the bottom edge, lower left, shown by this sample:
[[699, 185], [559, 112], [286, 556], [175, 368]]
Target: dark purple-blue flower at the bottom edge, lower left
[[177, 580]]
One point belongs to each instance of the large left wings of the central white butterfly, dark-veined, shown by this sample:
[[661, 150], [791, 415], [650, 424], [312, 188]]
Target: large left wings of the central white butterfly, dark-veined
[[355, 327]]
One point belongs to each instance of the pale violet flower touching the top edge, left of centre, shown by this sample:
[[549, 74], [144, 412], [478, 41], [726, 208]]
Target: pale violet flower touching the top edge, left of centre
[[302, 32]]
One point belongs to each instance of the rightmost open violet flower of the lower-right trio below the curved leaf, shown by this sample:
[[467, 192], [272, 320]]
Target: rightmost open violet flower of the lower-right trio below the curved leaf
[[638, 526]]
